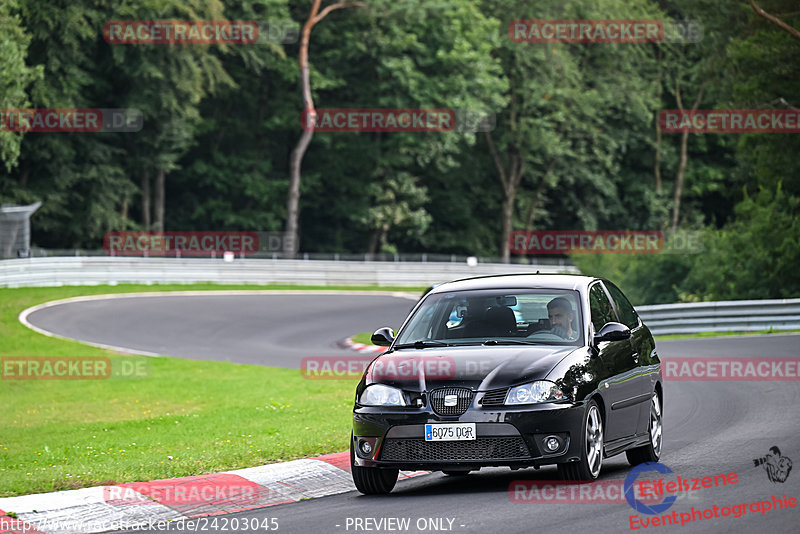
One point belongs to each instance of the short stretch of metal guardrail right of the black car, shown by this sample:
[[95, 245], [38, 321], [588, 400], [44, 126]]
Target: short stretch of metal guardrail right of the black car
[[722, 316]]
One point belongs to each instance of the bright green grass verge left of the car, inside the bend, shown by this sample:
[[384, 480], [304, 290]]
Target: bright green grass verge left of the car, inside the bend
[[185, 418]]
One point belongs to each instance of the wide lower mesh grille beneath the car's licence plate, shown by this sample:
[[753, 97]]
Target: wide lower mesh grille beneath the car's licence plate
[[485, 448]]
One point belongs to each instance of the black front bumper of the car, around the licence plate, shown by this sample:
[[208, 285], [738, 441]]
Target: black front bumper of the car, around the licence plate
[[511, 437]]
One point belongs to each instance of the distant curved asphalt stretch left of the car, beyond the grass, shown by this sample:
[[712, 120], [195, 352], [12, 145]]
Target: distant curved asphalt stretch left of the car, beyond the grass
[[277, 330]]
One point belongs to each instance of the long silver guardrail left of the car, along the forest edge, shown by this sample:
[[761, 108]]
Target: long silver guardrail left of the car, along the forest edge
[[58, 271]]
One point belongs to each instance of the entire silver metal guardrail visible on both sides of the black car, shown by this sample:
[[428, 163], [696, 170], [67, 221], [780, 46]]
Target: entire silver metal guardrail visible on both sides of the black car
[[685, 318]]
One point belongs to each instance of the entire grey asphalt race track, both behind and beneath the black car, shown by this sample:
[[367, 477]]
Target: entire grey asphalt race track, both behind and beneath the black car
[[710, 427]]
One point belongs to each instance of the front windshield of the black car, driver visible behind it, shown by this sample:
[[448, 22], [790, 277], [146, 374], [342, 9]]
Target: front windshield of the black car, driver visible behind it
[[501, 316]]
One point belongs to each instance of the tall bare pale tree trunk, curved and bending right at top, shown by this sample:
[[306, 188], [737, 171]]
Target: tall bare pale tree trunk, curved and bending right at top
[[293, 197]]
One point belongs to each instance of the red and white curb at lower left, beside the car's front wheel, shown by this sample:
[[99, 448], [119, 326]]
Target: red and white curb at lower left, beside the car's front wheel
[[133, 504]]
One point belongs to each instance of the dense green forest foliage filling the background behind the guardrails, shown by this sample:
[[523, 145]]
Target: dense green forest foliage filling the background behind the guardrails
[[575, 144]]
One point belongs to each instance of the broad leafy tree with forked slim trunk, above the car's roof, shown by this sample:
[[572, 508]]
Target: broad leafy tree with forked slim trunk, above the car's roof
[[575, 111]]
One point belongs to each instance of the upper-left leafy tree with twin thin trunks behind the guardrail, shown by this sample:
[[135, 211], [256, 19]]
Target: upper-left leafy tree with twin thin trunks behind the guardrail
[[166, 83]]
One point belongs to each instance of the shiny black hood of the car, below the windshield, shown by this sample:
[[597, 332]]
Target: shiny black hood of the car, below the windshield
[[478, 367]]
